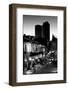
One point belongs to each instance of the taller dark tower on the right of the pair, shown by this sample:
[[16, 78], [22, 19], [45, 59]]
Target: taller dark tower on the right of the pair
[[46, 31]]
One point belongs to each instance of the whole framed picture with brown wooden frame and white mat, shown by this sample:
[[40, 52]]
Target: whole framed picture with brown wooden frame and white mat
[[37, 38]]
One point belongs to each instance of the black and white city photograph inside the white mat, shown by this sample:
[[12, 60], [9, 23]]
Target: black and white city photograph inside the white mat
[[39, 44]]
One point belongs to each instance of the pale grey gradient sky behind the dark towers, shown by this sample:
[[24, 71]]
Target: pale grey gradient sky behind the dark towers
[[29, 22]]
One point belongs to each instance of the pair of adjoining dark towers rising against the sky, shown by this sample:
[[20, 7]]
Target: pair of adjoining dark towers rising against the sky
[[43, 31]]
